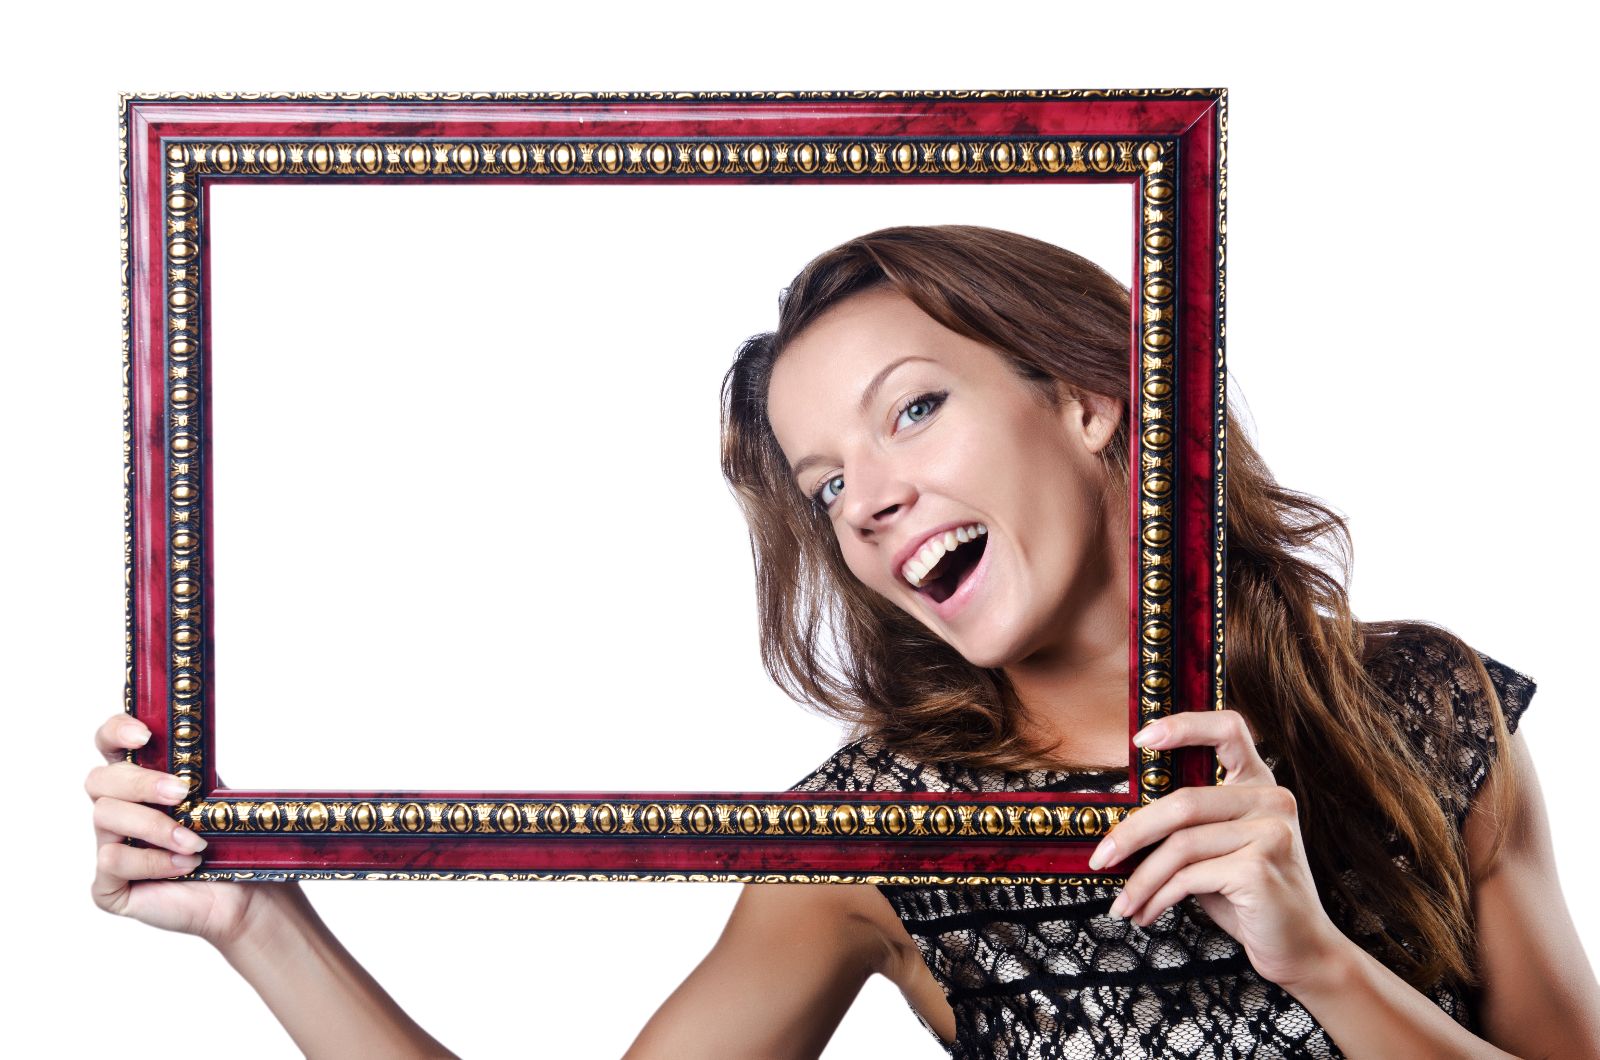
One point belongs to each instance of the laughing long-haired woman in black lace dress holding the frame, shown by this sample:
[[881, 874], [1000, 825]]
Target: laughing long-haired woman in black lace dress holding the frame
[[932, 452]]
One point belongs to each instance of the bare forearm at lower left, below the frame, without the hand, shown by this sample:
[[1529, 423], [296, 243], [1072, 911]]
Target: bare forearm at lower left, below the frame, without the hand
[[322, 997]]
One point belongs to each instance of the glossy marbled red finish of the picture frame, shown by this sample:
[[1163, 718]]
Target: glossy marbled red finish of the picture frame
[[1194, 122]]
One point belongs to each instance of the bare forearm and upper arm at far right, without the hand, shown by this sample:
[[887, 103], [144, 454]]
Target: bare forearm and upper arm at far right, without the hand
[[1540, 997]]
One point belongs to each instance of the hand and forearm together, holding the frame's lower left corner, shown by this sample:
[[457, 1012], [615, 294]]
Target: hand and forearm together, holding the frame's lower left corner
[[329, 1005]]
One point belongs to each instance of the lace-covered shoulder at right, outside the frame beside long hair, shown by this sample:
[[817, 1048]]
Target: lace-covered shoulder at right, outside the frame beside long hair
[[1447, 713]]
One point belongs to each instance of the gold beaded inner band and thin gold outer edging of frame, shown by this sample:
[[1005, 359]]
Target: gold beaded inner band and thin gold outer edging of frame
[[188, 163]]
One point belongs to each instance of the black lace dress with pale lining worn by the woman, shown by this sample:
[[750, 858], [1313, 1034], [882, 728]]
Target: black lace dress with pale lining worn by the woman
[[1042, 973]]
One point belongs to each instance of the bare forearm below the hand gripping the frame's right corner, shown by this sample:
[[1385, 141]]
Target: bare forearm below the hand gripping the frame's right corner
[[1369, 1011]]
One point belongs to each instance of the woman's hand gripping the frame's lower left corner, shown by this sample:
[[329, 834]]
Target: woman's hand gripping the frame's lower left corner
[[137, 881]]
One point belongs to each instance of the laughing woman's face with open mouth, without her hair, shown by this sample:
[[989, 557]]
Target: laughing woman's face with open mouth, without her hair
[[906, 433]]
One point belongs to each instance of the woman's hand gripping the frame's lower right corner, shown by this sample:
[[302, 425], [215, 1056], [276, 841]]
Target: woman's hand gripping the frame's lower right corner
[[1234, 846]]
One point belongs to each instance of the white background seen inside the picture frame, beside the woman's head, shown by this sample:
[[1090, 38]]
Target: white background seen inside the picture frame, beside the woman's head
[[508, 502]]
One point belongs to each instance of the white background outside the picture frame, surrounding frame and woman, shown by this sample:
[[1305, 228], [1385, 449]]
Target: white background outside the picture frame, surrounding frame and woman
[[1410, 284]]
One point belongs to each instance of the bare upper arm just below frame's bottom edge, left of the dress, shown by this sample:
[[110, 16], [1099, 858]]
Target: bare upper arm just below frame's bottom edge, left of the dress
[[780, 979]]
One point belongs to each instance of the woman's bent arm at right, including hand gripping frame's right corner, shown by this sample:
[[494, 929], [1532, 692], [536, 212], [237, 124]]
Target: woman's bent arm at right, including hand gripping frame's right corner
[[1238, 848]]
